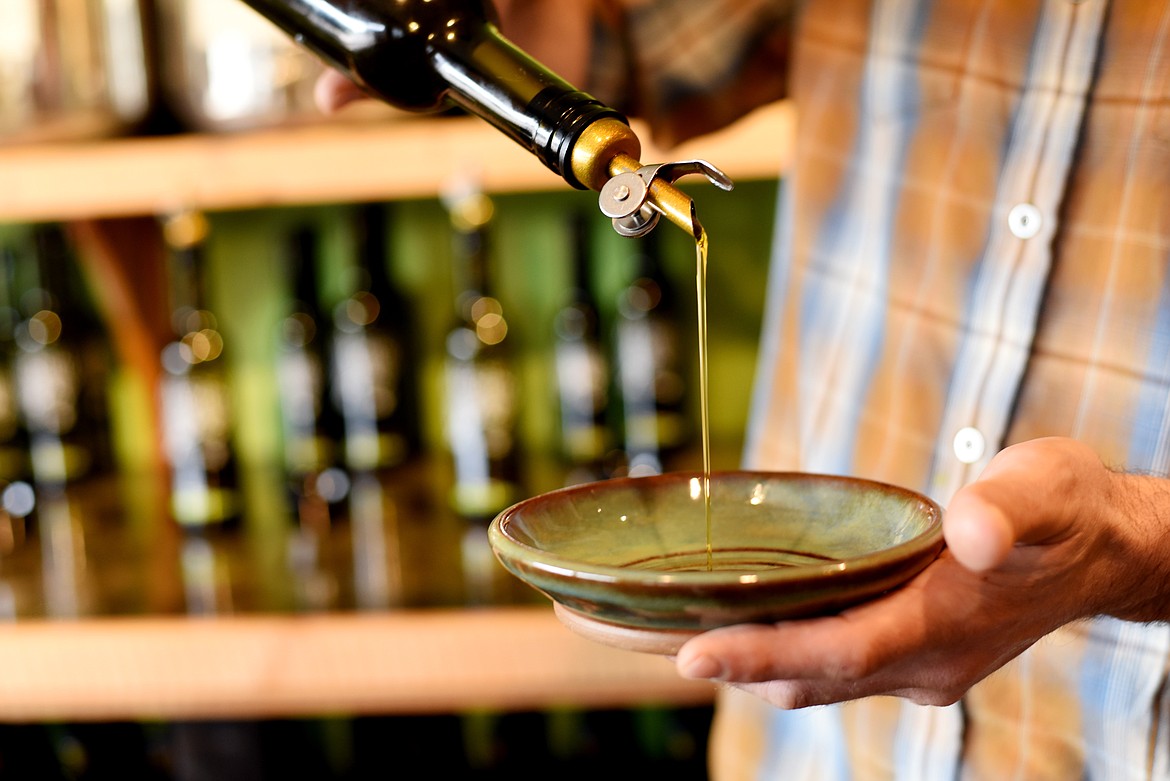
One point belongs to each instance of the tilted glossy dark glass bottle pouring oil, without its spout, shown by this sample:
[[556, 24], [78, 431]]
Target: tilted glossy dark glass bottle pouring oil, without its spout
[[423, 56]]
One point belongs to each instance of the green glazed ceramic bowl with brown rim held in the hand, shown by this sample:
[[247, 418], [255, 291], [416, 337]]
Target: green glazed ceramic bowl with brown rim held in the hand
[[627, 562]]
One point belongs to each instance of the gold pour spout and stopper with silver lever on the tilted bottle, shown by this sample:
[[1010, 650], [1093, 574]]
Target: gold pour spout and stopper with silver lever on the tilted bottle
[[635, 196]]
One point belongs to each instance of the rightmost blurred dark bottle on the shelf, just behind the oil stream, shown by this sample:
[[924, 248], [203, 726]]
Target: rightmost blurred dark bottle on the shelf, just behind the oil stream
[[651, 375]]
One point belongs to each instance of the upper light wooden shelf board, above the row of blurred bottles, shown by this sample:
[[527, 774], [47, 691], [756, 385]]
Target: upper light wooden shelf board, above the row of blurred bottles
[[329, 163]]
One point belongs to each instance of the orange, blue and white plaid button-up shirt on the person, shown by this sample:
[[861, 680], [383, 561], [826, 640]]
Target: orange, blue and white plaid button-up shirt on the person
[[974, 250]]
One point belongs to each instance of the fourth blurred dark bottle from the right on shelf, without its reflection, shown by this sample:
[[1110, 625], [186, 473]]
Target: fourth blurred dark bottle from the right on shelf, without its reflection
[[374, 381]]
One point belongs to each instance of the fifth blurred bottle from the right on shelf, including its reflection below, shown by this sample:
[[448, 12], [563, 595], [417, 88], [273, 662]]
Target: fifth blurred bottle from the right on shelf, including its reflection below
[[311, 426]]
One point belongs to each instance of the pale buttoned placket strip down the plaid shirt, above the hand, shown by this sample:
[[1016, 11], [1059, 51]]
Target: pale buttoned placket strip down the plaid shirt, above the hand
[[1008, 288]]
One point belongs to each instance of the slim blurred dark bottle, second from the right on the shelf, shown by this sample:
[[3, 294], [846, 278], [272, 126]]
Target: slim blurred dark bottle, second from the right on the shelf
[[582, 371]]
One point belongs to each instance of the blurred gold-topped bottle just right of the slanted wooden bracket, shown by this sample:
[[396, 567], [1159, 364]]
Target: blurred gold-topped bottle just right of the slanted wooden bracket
[[196, 405]]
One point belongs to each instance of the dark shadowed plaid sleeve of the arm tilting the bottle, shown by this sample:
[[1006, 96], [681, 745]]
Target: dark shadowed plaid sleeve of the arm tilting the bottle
[[691, 67]]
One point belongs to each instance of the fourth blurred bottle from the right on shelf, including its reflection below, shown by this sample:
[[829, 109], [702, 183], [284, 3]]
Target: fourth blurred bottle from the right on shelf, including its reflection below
[[375, 388]]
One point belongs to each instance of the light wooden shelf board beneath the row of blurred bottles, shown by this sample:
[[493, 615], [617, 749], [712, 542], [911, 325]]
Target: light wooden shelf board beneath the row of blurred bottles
[[269, 667]]
